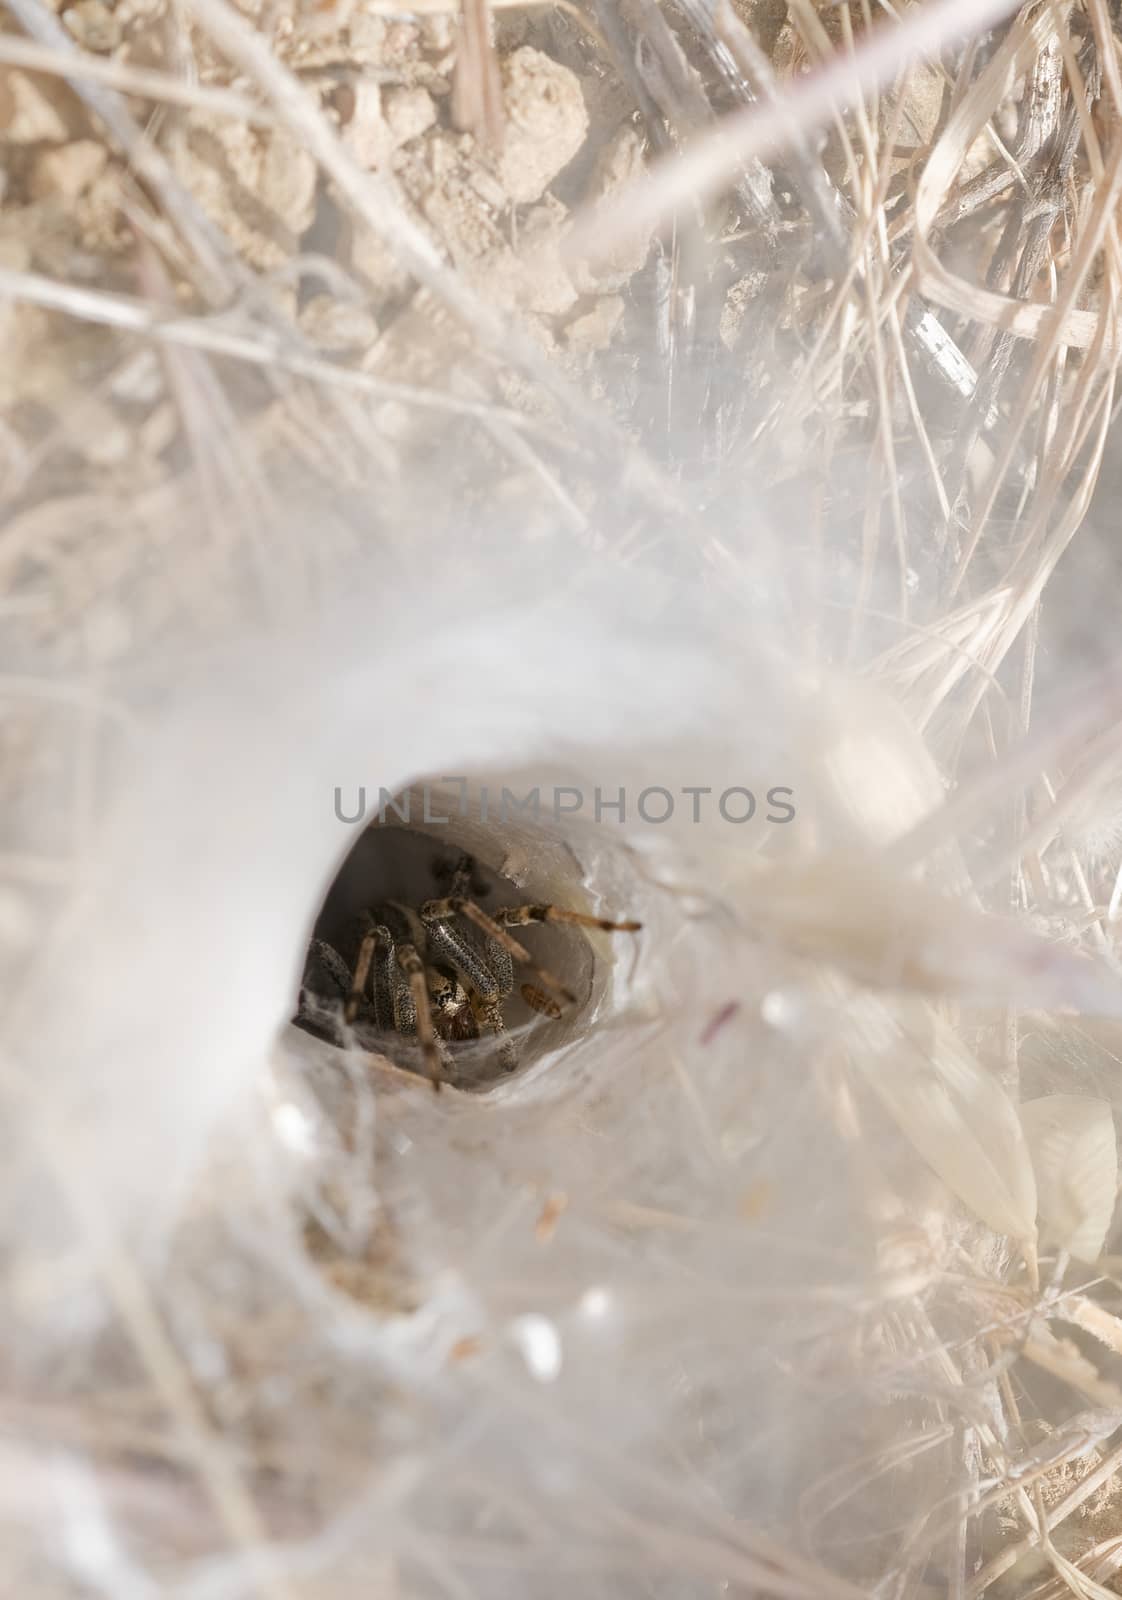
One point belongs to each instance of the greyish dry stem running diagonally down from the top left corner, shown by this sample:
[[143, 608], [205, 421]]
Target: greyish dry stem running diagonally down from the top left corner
[[214, 252]]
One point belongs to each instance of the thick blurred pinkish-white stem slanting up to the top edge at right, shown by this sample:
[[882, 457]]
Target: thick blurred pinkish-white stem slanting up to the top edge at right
[[814, 103]]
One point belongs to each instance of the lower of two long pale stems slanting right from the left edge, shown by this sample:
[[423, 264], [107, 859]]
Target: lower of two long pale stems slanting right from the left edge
[[204, 334]]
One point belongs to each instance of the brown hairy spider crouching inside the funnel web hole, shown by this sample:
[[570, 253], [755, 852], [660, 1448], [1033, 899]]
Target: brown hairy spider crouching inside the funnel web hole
[[438, 974]]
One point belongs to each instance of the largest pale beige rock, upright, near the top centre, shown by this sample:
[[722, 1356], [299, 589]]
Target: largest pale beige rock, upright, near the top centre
[[547, 122]]
